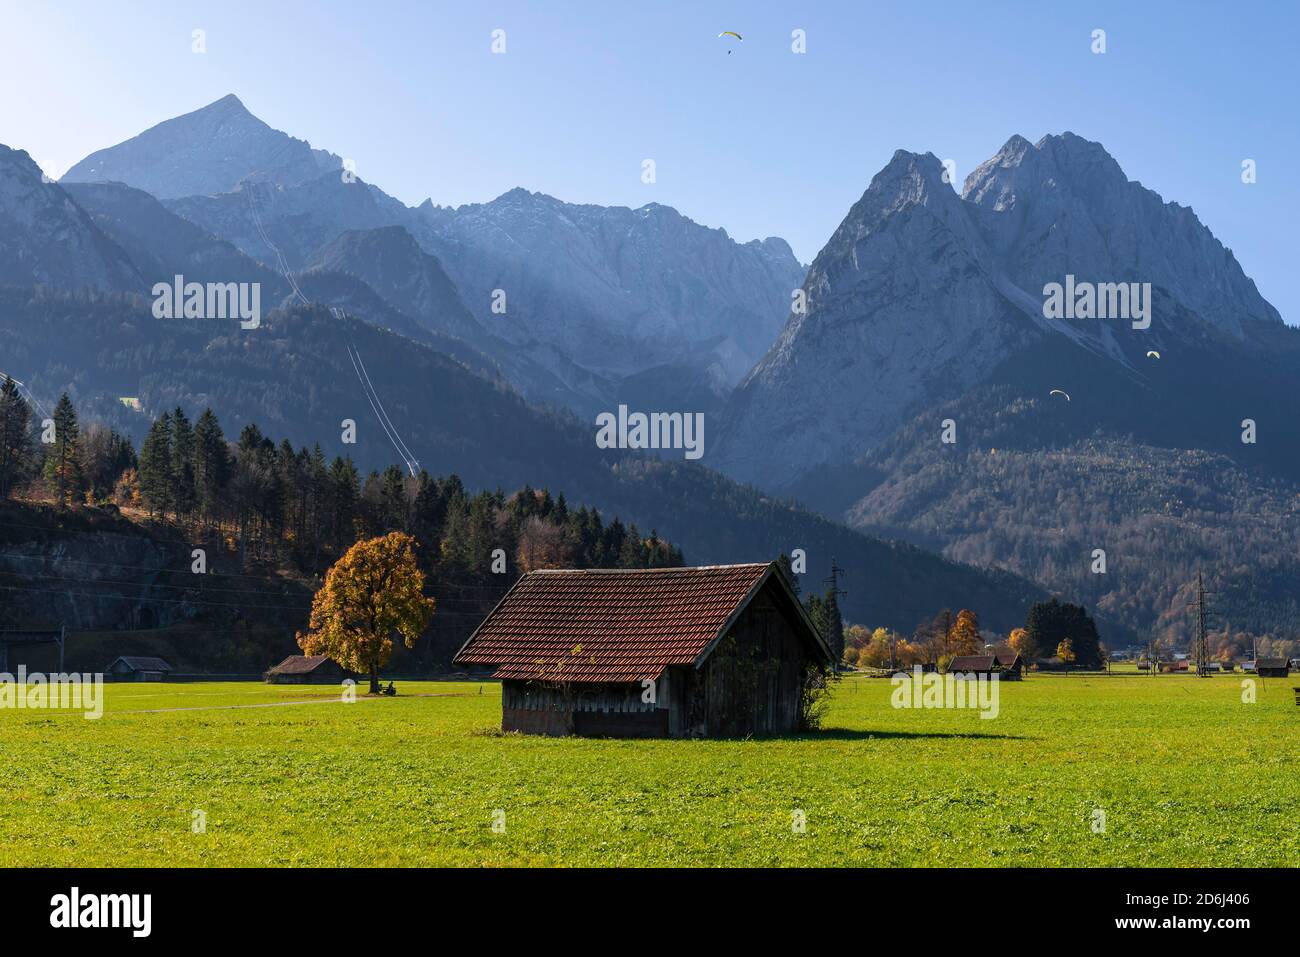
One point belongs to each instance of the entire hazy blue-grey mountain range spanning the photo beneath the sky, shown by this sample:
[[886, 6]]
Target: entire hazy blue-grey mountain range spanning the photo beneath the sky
[[918, 391]]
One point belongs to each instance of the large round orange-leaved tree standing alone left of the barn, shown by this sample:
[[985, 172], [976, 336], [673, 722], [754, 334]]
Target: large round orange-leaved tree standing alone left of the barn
[[372, 594]]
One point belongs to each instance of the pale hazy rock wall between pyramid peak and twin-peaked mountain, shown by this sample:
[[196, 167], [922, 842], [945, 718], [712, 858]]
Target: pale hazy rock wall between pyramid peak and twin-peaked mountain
[[618, 291]]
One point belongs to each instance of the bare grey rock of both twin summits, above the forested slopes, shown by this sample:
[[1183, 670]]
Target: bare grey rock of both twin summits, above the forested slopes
[[921, 293]]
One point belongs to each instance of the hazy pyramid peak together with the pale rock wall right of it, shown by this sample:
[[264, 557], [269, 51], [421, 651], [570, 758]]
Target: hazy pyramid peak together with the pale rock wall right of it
[[593, 296]]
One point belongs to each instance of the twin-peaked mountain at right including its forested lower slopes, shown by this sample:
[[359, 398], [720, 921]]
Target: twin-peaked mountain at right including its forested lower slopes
[[930, 391]]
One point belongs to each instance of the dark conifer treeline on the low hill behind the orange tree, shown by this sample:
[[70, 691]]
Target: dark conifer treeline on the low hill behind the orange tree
[[297, 509]]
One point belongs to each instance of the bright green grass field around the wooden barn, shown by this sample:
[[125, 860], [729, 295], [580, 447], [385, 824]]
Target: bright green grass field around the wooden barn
[[1184, 770]]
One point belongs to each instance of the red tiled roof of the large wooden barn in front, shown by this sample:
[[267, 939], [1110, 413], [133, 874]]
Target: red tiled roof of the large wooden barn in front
[[629, 625]]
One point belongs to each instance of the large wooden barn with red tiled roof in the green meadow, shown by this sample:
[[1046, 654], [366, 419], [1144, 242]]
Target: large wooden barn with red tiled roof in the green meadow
[[712, 652]]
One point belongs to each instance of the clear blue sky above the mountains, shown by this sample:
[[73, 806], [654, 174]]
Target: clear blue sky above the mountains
[[761, 142]]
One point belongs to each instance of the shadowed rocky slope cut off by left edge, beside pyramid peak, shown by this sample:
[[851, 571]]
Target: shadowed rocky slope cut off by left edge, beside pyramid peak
[[47, 239]]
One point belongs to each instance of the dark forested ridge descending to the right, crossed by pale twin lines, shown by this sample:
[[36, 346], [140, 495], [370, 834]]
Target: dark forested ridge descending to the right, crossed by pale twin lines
[[294, 379]]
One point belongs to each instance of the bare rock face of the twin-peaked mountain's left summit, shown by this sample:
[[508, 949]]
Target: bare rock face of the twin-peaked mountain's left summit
[[900, 308]]
